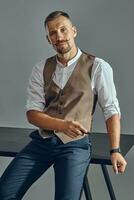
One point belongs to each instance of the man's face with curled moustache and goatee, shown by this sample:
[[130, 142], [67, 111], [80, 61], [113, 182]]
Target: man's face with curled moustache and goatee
[[61, 34]]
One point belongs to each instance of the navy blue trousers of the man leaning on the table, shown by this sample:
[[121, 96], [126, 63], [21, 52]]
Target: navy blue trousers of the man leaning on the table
[[70, 162]]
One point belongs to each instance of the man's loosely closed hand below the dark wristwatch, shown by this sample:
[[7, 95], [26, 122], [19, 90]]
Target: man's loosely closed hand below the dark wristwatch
[[118, 162]]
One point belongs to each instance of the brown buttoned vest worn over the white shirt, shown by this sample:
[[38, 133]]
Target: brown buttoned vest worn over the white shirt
[[76, 100]]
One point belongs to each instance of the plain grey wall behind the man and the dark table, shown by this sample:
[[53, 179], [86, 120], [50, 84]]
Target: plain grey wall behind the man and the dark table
[[105, 28]]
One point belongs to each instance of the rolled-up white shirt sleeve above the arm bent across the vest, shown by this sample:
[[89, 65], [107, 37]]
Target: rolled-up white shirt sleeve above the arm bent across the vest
[[35, 89]]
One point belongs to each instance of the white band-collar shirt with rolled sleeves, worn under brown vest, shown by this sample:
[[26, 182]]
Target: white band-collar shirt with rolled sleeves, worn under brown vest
[[101, 82]]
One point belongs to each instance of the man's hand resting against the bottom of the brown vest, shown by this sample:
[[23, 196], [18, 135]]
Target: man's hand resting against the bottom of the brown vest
[[73, 129]]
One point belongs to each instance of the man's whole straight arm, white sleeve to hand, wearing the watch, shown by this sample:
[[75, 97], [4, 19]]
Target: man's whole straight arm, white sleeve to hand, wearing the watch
[[107, 99]]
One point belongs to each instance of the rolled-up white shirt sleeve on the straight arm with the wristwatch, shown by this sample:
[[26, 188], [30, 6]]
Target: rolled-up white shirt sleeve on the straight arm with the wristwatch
[[105, 89]]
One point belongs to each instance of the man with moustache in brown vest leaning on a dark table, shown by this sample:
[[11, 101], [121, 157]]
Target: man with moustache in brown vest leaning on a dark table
[[62, 94]]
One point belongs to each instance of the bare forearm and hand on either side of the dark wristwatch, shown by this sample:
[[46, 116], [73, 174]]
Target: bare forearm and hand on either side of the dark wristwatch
[[113, 129]]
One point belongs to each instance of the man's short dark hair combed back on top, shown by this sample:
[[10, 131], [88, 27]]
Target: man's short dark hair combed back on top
[[55, 14]]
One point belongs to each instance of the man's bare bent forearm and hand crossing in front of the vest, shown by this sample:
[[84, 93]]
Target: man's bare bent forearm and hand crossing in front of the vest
[[44, 121]]
